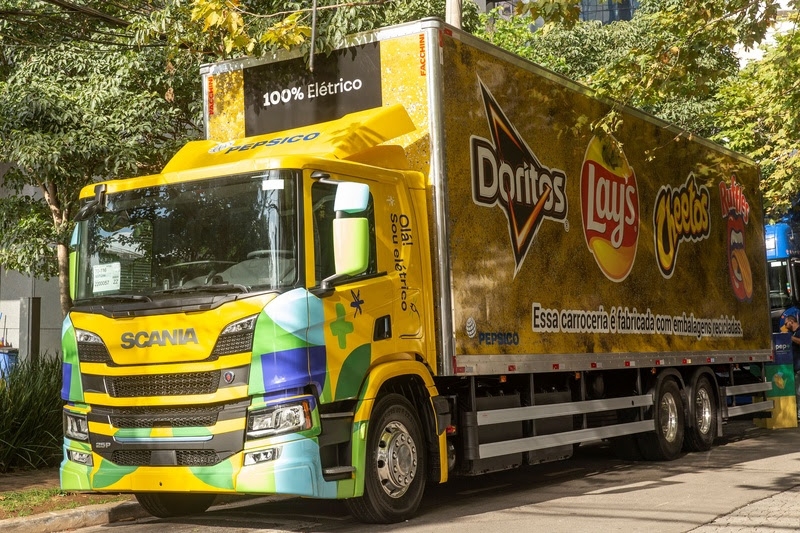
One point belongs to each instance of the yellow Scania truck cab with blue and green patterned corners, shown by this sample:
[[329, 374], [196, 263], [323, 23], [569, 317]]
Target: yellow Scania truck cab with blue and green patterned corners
[[235, 305]]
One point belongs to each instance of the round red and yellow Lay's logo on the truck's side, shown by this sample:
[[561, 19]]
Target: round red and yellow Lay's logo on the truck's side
[[610, 207]]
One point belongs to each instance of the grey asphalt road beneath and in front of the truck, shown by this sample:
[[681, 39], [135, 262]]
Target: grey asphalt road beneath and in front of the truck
[[593, 491]]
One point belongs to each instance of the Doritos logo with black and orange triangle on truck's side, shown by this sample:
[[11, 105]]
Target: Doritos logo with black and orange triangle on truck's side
[[506, 173]]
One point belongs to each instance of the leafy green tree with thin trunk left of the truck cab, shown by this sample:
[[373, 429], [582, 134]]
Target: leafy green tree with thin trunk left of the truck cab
[[74, 110]]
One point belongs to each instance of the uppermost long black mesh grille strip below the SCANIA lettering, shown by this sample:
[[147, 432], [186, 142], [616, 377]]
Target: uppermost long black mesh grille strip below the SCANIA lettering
[[163, 384]]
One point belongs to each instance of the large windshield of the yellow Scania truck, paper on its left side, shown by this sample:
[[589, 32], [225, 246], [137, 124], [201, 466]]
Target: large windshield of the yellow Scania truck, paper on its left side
[[235, 233]]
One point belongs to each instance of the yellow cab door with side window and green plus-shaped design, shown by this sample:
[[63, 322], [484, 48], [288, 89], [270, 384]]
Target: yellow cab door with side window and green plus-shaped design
[[357, 310]]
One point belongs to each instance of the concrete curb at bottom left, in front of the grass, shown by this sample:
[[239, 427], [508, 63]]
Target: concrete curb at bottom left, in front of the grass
[[88, 515]]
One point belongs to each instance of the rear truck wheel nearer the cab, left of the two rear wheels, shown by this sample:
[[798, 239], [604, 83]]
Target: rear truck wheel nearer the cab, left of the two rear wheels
[[666, 443]]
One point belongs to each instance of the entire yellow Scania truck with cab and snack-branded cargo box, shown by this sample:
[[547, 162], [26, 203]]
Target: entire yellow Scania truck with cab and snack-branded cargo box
[[417, 261]]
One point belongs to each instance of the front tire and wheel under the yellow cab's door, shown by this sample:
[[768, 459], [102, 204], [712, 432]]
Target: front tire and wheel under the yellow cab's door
[[395, 466]]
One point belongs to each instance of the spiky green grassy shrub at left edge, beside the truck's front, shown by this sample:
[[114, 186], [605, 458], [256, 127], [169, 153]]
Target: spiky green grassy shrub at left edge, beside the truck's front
[[30, 415]]
